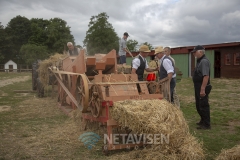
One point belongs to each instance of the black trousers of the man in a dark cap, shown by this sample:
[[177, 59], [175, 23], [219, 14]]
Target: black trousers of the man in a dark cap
[[202, 104]]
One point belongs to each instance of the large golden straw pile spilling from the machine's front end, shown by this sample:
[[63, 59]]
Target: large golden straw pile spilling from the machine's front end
[[157, 117]]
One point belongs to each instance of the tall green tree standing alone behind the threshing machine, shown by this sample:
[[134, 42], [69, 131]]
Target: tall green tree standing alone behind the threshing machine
[[101, 36]]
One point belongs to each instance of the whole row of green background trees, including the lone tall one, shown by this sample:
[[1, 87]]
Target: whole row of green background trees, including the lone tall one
[[24, 41]]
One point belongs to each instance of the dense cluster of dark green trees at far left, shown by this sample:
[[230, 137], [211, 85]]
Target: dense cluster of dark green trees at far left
[[25, 41]]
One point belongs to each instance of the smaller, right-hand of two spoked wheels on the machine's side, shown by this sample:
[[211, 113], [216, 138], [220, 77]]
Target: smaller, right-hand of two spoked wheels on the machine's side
[[96, 98]]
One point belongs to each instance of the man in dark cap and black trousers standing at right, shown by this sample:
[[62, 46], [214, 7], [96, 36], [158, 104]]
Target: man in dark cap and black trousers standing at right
[[202, 87]]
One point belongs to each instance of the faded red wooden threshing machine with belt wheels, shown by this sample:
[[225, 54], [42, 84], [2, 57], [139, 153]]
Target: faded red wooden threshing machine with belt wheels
[[92, 84]]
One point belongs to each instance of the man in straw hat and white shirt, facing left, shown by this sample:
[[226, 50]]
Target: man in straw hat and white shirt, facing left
[[166, 69]]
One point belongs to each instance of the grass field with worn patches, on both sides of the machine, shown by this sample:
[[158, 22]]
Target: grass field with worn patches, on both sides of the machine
[[33, 128]]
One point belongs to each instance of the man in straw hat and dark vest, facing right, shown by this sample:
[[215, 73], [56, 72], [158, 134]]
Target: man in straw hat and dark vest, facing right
[[139, 63]]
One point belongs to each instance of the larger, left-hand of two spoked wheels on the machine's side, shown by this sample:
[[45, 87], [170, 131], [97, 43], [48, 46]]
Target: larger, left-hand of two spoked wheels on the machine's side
[[82, 93]]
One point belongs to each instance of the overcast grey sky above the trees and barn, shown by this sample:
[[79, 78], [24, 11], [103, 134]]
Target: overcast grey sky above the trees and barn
[[159, 22]]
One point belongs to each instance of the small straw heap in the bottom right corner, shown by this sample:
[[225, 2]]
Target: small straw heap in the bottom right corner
[[230, 154]]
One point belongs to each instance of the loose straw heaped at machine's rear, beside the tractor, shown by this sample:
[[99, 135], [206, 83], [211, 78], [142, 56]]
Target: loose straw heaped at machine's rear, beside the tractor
[[43, 72]]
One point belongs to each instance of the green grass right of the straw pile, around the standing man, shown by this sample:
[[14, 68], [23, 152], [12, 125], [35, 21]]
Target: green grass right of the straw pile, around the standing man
[[224, 109]]
